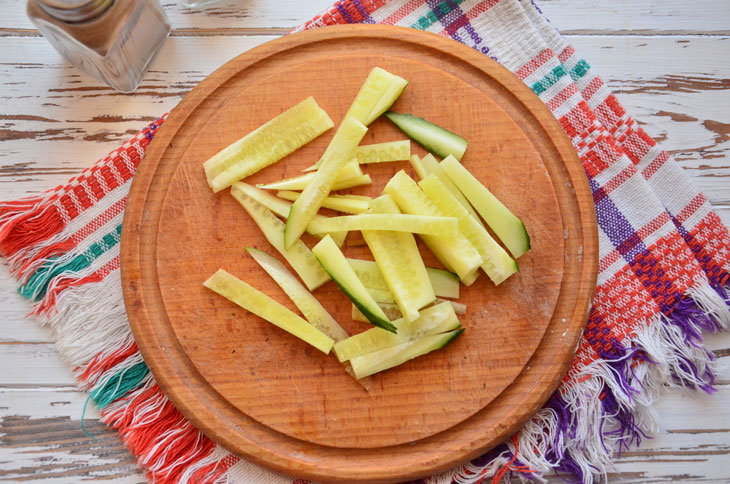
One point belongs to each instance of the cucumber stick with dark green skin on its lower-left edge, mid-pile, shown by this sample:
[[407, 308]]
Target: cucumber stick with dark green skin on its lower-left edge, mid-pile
[[334, 262]]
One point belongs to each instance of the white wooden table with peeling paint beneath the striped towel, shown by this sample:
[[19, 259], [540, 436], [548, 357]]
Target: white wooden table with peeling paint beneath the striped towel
[[668, 61]]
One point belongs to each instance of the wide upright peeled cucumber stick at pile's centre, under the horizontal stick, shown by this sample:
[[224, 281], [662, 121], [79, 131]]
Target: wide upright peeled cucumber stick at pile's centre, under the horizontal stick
[[400, 263]]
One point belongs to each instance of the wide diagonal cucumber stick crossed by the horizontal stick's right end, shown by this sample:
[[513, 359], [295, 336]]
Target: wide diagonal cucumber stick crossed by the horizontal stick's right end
[[455, 252]]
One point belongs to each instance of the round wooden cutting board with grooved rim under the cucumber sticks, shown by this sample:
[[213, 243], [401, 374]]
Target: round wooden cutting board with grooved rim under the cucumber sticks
[[271, 398]]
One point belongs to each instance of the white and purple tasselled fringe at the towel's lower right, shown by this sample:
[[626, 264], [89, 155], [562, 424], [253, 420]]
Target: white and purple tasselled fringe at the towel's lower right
[[610, 406]]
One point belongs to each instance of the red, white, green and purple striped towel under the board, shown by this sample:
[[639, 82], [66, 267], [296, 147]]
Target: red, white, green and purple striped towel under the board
[[663, 273]]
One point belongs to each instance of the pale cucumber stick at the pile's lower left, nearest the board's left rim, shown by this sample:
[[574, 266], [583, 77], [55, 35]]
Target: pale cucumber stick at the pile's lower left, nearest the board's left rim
[[255, 301]]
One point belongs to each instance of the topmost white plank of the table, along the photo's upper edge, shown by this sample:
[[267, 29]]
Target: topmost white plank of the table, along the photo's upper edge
[[572, 16]]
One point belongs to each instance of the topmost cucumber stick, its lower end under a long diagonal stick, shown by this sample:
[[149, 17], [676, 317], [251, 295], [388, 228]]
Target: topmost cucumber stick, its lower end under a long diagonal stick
[[379, 91]]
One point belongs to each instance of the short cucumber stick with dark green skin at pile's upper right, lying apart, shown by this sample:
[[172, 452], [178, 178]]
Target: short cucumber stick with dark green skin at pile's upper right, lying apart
[[434, 138]]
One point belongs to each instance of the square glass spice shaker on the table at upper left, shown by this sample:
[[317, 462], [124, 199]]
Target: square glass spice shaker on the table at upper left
[[112, 40]]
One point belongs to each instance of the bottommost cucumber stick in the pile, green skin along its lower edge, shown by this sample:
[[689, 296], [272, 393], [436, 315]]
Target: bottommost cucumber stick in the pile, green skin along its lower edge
[[386, 358]]
